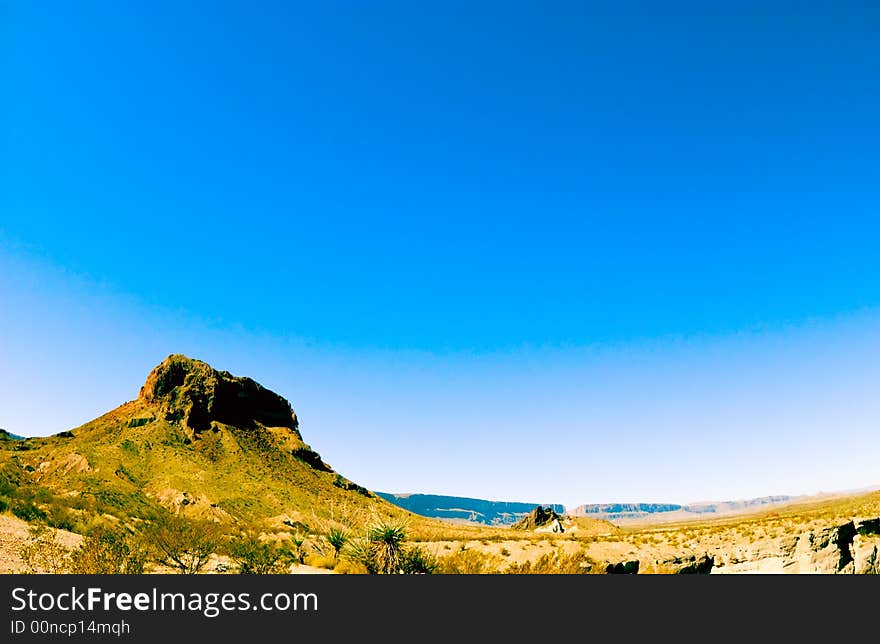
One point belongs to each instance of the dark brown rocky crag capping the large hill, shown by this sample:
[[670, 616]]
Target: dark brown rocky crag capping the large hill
[[193, 392]]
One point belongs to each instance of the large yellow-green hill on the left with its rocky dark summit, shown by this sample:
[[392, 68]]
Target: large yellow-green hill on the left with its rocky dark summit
[[196, 441]]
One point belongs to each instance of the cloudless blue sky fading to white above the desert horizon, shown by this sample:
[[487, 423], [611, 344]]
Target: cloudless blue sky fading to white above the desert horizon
[[571, 252]]
